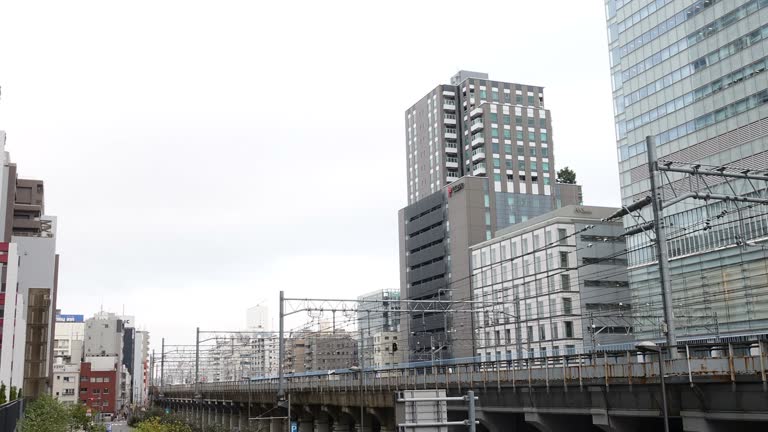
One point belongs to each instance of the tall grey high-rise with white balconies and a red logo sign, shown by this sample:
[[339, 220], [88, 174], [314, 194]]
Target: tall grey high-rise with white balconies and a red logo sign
[[484, 147]]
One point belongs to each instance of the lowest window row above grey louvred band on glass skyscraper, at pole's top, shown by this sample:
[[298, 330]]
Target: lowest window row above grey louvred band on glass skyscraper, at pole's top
[[698, 123]]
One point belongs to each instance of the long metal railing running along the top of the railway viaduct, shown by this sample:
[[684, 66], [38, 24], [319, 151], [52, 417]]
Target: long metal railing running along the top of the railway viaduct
[[723, 362]]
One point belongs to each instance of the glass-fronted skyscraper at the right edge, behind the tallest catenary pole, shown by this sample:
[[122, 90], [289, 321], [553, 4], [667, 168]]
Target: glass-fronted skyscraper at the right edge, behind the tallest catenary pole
[[693, 75]]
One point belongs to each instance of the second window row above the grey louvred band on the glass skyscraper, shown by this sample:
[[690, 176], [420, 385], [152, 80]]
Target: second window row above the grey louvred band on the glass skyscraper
[[700, 93]]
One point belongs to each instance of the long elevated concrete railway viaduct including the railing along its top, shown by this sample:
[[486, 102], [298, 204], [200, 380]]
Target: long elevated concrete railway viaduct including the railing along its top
[[716, 386]]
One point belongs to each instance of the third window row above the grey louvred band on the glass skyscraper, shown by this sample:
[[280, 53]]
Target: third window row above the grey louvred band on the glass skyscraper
[[696, 66]]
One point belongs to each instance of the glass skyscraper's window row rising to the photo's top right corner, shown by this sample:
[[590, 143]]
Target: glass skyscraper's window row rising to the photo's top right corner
[[694, 38]]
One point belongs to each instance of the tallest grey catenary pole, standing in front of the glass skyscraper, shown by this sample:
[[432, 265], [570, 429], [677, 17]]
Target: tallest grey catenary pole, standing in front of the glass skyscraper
[[668, 326]]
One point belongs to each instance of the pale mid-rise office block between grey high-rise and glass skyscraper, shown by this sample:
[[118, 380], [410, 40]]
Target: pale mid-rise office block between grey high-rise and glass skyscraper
[[552, 285]]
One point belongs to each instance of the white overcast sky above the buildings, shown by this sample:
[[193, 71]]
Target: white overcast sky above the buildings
[[202, 156]]
